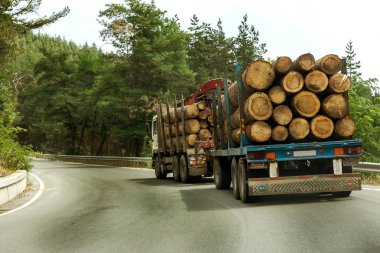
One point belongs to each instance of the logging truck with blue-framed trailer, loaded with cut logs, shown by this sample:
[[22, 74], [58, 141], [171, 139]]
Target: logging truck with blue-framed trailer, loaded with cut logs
[[281, 128]]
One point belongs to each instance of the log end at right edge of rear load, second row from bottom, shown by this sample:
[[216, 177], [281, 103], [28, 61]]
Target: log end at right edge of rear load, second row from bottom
[[335, 106]]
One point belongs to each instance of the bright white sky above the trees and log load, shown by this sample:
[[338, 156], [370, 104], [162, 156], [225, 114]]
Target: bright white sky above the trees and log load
[[291, 27]]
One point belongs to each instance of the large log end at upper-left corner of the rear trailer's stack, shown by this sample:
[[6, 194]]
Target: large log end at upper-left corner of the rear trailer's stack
[[258, 75]]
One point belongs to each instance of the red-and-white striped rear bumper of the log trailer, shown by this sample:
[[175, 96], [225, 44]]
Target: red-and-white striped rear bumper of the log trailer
[[304, 184]]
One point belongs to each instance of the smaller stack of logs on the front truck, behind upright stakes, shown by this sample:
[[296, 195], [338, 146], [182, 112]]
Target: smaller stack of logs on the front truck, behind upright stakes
[[198, 125]]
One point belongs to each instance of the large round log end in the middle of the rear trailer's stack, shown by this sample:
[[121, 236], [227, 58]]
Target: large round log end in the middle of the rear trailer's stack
[[306, 104]]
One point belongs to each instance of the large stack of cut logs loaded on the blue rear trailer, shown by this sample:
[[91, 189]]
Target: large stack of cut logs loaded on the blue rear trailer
[[292, 101]]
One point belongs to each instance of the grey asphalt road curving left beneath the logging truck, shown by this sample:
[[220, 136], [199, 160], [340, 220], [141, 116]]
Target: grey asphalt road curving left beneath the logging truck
[[87, 208]]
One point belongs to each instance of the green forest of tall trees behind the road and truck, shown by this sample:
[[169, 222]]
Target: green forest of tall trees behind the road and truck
[[63, 98]]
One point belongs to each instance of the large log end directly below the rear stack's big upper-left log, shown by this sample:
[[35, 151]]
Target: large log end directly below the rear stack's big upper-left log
[[258, 107]]
